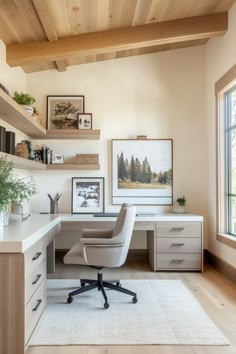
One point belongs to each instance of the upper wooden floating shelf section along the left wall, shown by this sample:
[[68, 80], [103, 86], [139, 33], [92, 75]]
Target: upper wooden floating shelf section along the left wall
[[13, 114]]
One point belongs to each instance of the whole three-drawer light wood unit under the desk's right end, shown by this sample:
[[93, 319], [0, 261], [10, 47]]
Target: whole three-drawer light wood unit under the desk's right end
[[178, 245]]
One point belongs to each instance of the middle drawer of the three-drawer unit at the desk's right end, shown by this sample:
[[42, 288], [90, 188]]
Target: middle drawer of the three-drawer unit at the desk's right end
[[178, 245]]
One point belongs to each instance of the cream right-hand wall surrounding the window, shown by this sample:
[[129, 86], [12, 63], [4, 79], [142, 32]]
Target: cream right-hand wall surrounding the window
[[221, 54]]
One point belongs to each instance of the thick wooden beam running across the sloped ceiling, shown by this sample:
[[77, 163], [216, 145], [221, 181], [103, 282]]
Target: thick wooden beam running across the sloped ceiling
[[153, 34]]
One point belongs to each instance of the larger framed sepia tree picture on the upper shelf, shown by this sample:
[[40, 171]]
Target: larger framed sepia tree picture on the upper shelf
[[62, 111]]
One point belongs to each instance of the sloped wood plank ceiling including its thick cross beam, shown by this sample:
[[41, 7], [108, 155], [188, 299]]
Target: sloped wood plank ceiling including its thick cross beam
[[54, 34]]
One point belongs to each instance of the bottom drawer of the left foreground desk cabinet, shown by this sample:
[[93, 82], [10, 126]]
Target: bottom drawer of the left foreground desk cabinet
[[34, 309]]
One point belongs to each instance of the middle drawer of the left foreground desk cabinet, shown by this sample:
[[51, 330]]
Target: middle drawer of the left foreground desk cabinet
[[34, 280]]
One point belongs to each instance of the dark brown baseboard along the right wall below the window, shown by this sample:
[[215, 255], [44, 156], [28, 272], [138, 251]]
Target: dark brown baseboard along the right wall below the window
[[219, 264]]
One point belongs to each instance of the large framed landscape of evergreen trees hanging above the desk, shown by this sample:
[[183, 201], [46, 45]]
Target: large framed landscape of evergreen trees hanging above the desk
[[142, 171]]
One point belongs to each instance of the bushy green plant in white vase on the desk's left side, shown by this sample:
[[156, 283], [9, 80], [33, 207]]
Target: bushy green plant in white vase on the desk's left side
[[12, 189]]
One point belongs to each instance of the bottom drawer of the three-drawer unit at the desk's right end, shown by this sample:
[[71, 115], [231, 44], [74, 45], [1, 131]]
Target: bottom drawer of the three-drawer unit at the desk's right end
[[178, 261]]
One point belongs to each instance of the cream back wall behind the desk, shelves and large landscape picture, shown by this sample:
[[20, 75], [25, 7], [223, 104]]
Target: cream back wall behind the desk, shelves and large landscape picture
[[161, 95]]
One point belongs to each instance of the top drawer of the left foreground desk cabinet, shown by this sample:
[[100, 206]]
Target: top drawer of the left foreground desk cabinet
[[34, 256]]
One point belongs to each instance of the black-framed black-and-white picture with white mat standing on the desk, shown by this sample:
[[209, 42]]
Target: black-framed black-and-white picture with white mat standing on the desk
[[87, 195]]
